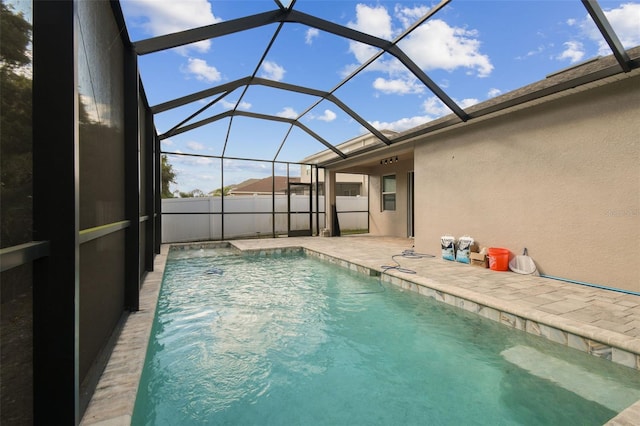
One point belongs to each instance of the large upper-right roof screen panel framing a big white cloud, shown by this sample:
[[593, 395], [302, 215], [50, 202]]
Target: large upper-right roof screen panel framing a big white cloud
[[476, 50]]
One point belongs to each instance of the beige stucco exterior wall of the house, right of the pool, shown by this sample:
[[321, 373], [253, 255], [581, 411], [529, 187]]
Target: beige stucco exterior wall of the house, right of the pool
[[561, 178]]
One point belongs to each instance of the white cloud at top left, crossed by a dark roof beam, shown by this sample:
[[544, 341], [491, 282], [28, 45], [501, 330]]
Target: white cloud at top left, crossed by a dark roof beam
[[166, 17]]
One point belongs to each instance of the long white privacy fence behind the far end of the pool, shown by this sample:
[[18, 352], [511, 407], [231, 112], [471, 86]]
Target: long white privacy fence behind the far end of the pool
[[201, 219]]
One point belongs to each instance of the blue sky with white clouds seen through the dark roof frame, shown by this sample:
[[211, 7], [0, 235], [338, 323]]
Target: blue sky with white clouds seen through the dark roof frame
[[473, 50]]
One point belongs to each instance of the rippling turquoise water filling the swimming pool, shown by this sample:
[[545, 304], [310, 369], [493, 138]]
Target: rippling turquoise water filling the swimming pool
[[291, 340]]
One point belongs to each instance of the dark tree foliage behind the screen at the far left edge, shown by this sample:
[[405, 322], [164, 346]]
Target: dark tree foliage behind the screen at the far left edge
[[16, 216]]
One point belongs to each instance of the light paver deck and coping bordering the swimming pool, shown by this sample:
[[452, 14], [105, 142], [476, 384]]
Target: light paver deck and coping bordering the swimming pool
[[601, 322]]
